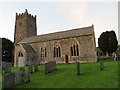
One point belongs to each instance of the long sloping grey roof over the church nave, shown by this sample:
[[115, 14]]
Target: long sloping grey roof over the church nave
[[59, 35]]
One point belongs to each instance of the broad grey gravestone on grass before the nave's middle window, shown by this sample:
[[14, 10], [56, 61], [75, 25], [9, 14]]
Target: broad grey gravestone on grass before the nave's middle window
[[50, 66]]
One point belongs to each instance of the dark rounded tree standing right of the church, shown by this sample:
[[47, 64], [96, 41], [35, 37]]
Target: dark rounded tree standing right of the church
[[107, 42]]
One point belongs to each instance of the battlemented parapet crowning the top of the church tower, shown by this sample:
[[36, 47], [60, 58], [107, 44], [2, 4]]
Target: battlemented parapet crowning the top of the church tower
[[25, 15]]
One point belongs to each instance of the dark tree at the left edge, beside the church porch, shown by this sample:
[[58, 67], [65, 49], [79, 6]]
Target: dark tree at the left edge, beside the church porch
[[7, 50]]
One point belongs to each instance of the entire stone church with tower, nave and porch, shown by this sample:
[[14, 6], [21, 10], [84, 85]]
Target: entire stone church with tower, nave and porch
[[64, 47]]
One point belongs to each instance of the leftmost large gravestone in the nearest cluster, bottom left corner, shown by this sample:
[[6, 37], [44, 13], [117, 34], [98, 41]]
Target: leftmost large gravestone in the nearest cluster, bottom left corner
[[9, 80]]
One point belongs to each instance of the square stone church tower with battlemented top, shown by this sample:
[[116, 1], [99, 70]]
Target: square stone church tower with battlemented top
[[25, 26]]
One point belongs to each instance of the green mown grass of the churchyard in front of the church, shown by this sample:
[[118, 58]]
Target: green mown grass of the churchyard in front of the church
[[65, 76]]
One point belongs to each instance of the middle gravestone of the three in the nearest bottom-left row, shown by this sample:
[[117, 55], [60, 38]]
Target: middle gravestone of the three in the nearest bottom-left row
[[18, 77]]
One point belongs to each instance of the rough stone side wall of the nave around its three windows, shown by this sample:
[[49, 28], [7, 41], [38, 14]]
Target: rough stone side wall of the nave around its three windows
[[87, 51]]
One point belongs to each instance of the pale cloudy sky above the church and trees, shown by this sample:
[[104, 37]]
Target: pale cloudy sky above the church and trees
[[61, 16]]
